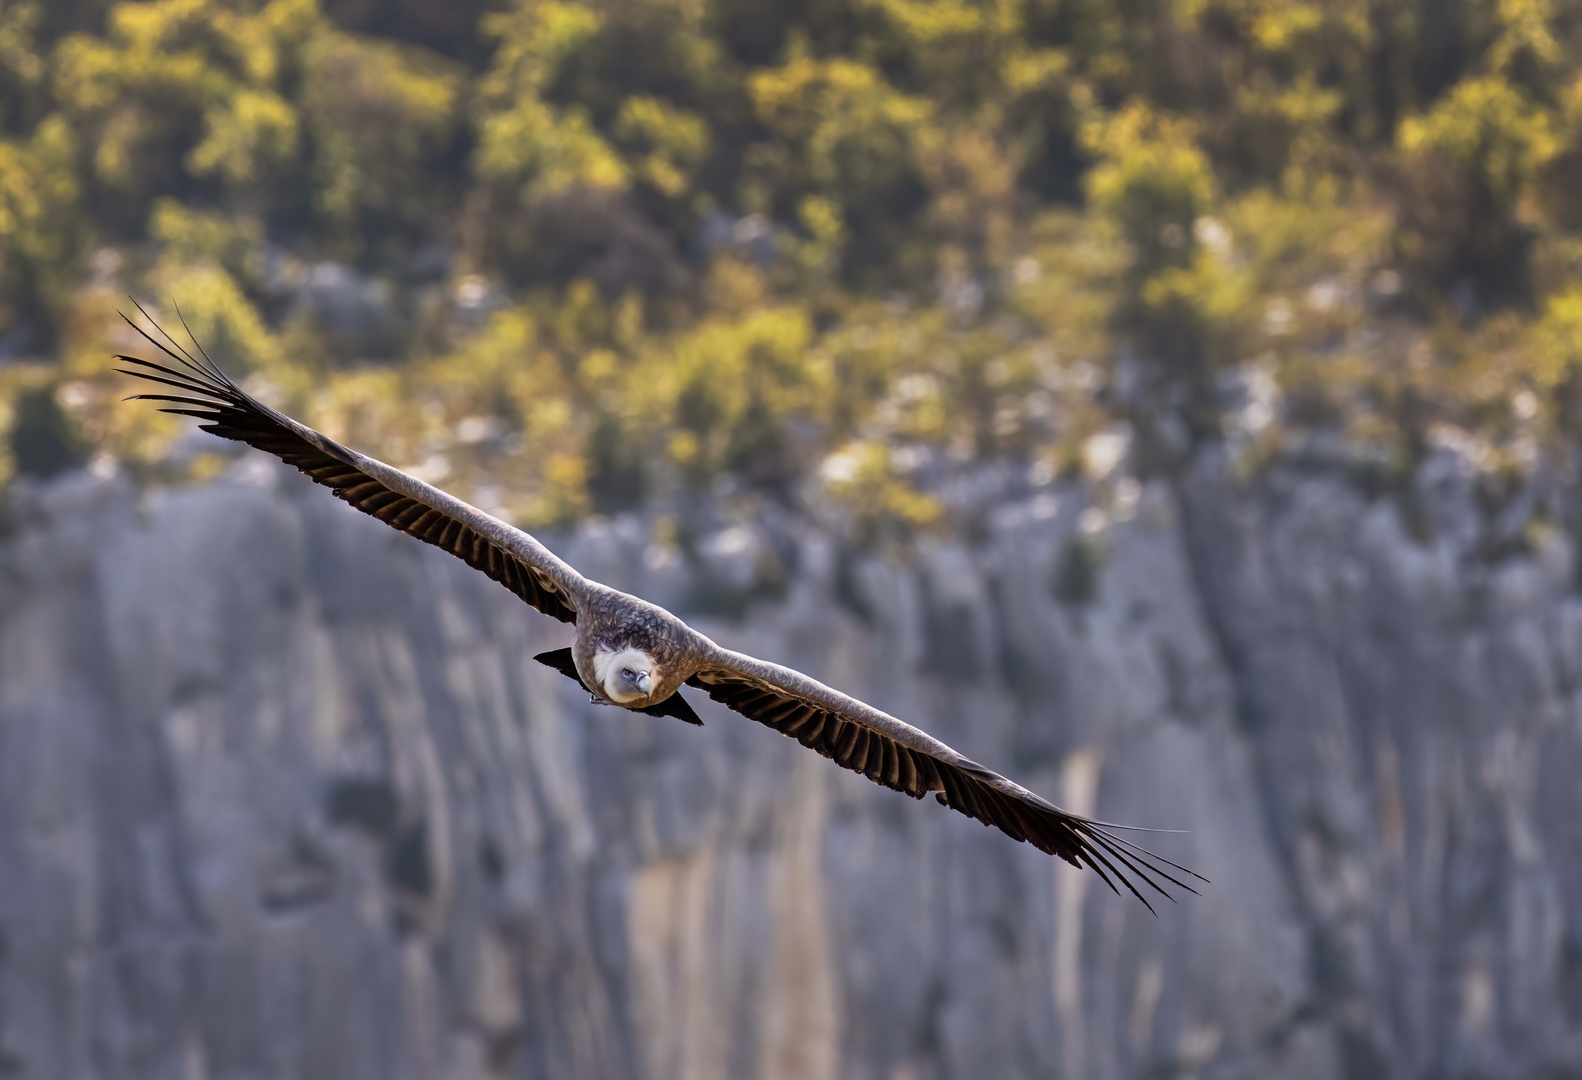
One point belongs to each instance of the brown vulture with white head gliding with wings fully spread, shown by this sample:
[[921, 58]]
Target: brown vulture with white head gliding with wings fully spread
[[635, 655]]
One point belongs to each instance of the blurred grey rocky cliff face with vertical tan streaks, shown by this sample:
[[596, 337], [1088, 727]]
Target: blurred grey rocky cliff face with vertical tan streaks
[[284, 796]]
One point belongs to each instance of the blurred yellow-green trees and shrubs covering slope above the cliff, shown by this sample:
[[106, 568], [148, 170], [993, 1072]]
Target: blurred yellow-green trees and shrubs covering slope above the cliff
[[567, 257]]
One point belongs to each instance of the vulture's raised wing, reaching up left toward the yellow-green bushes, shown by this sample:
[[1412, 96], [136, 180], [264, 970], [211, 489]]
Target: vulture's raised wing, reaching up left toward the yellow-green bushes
[[485, 543]]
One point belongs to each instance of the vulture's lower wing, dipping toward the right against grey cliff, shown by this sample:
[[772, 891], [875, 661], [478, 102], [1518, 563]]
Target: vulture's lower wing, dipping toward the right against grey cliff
[[899, 757]]
